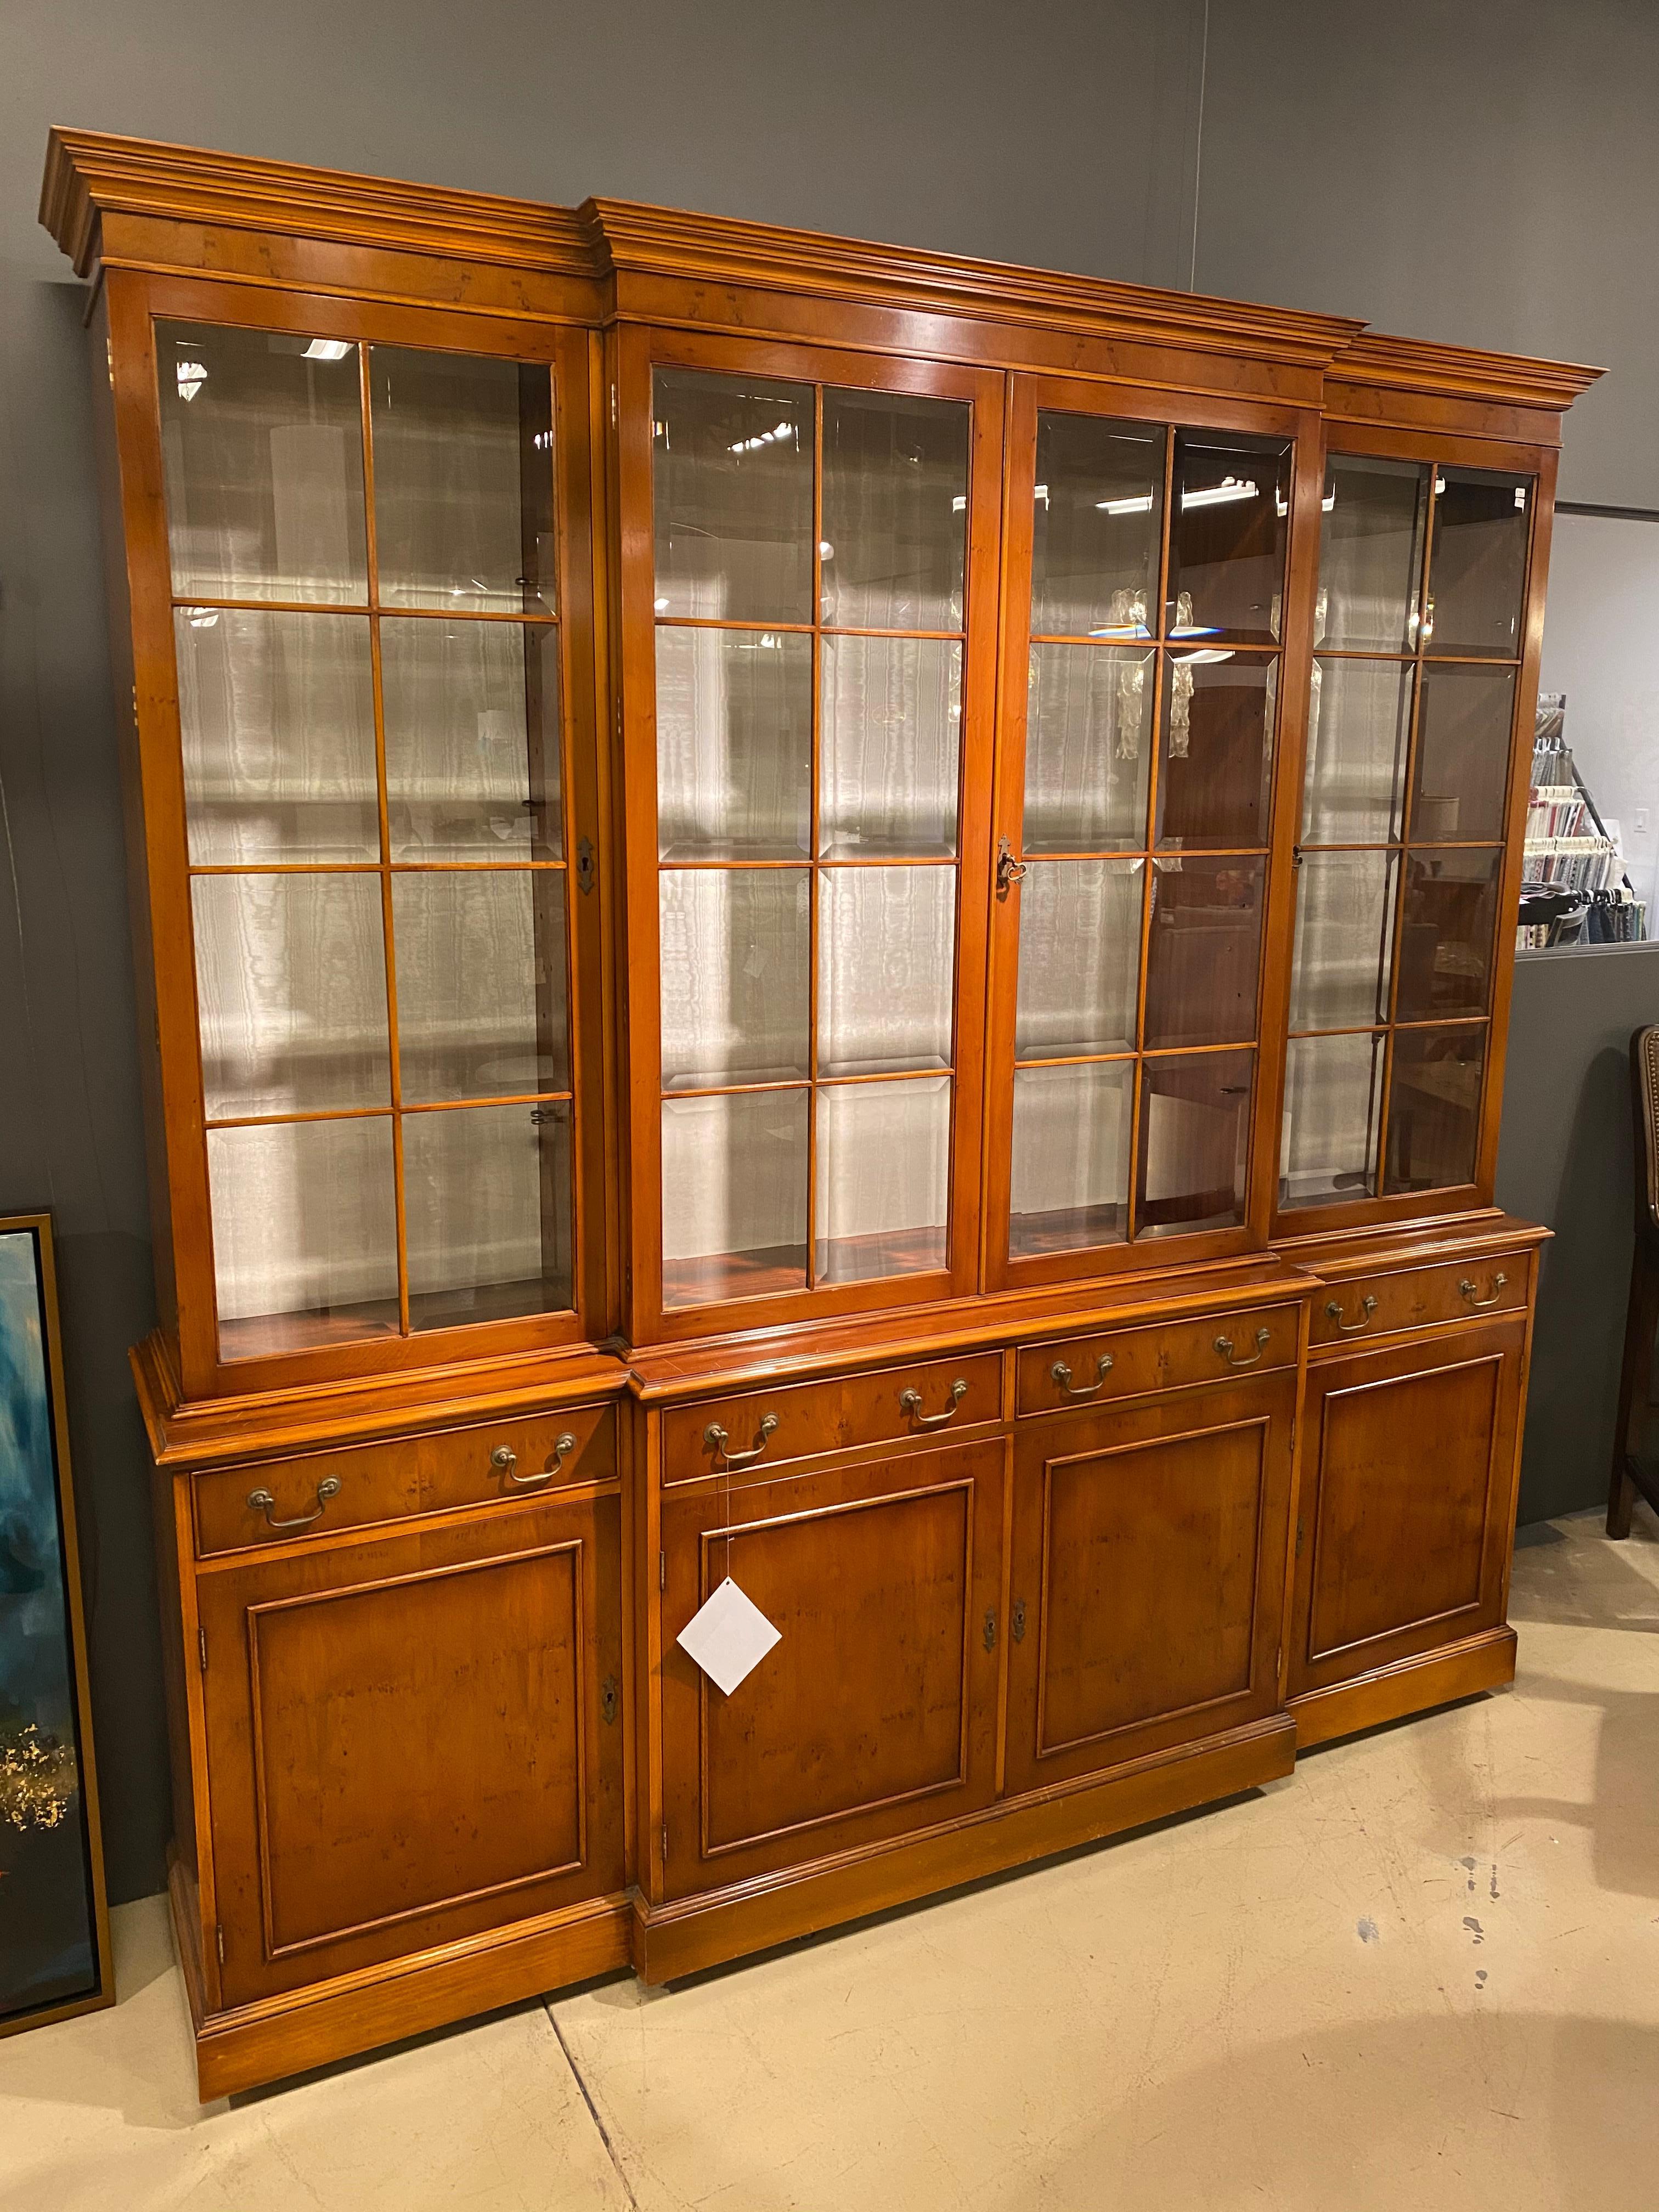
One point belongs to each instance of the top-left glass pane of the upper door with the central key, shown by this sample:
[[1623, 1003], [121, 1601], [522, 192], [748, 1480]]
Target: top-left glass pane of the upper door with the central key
[[1096, 528]]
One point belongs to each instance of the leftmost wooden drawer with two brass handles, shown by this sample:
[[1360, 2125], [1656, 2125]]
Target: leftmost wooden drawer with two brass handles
[[359, 1485]]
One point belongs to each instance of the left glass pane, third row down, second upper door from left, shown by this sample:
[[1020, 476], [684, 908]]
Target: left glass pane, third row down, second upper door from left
[[735, 999]]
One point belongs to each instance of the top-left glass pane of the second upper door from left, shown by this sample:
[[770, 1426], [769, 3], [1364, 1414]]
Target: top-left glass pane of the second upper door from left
[[733, 492]]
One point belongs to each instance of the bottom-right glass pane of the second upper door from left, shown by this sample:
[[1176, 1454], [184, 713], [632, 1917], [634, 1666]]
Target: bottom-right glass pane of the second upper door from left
[[884, 1180]]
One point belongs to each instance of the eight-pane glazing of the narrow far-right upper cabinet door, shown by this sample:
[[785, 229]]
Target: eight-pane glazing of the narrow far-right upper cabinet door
[[1417, 669]]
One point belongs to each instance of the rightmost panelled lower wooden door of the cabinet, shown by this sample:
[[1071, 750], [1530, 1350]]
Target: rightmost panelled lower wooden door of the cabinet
[[1406, 1503]]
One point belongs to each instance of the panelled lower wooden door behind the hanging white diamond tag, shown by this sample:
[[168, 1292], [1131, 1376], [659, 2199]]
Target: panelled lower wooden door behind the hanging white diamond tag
[[875, 1715]]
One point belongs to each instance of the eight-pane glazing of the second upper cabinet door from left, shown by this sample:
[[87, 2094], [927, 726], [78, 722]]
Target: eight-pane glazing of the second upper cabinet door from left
[[811, 594]]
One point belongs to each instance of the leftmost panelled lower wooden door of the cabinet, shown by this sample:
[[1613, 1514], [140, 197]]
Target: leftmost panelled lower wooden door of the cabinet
[[415, 1740]]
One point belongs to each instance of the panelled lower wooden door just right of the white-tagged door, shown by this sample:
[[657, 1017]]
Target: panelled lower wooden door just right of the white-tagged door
[[1149, 1572]]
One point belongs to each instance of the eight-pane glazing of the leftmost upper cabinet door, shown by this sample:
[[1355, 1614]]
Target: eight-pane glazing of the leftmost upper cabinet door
[[368, 651]]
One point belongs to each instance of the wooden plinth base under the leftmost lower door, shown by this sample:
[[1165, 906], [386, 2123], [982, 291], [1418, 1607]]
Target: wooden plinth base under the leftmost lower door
[[408, 1996]]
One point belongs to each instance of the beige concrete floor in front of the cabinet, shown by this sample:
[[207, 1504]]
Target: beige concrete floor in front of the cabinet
[[1419, 1974]]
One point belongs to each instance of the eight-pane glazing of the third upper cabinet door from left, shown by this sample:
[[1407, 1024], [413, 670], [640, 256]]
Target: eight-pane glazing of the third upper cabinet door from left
[[1151, 685]]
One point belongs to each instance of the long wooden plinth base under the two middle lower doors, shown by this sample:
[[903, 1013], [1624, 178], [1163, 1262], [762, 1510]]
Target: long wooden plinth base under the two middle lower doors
[[691, 1934]]
